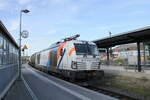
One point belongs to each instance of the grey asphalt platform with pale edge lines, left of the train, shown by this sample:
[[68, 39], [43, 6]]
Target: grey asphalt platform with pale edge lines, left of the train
[[36, 85]]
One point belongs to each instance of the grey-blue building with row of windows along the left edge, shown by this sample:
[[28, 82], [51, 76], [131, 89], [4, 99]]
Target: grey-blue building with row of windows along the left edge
[[8, 60]]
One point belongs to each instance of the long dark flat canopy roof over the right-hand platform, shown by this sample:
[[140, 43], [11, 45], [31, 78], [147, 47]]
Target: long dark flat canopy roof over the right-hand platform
[[138, 35]]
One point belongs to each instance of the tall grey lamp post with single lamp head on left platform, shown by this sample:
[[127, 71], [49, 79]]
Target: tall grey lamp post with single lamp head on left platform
[[20, 33]]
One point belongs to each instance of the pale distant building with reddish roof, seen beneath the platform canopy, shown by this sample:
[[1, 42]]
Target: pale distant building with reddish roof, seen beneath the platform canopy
[[128, 52]]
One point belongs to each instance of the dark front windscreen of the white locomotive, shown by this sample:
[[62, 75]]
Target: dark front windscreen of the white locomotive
[[86, 48]]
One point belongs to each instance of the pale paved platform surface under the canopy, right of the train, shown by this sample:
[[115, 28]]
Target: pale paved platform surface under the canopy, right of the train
[[120, 70]]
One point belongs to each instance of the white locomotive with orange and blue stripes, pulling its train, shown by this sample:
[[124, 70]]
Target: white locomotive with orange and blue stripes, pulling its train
[[70, 58]]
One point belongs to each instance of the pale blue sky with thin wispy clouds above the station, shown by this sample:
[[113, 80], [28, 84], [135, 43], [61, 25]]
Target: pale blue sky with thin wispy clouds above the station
[[52, 20]]
